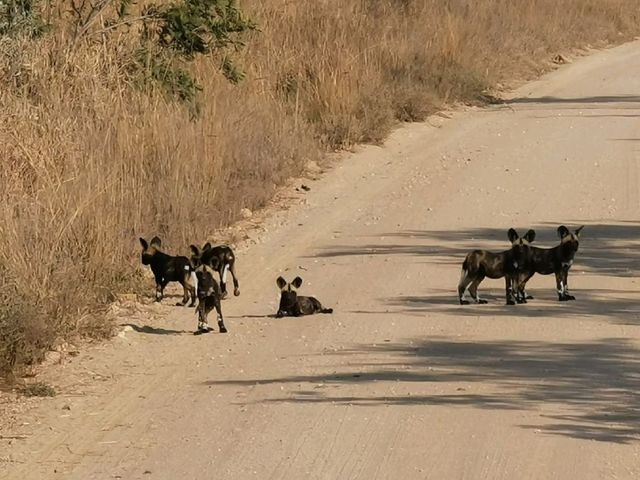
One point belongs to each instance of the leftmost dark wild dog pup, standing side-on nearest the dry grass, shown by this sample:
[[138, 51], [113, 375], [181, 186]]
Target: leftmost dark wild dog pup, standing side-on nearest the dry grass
[[167, 268]]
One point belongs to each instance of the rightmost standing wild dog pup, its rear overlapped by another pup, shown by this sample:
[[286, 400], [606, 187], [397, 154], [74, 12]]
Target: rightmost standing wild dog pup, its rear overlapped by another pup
[[557, 260]]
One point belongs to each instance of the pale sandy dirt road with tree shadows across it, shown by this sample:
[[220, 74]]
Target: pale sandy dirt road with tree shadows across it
[[400, 382]]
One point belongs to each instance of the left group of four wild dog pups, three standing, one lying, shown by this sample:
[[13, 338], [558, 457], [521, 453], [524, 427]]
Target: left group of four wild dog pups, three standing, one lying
[[196, 275]]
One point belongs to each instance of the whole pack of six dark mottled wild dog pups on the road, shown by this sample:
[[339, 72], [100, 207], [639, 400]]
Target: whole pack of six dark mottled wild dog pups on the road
[[517, 265]]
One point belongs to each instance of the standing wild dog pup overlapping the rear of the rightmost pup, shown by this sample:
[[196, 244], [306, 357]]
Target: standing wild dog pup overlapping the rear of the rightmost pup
[[480, 264]]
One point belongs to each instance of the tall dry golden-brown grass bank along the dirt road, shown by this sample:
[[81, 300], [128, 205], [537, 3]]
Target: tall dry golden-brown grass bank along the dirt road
[[90, 164]]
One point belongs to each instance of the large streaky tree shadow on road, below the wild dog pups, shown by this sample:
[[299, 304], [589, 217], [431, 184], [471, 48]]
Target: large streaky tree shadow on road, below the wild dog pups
[[597, 382]]
